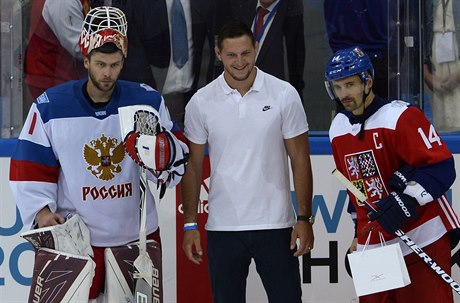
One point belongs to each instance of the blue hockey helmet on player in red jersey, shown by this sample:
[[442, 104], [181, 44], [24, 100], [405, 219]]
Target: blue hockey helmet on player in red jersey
[[346, 63]]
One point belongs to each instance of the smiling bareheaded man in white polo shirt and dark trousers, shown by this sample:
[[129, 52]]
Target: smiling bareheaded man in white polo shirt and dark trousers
[[252, 123]]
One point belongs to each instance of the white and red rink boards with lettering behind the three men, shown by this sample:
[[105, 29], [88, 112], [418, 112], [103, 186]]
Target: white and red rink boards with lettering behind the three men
[[324, 276]]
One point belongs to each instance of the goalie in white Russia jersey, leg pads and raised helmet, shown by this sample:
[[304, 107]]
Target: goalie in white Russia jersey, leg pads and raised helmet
[[79, 176]]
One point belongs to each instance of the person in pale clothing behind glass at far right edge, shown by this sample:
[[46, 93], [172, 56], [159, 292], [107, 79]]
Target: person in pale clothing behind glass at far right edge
[[442, 62]]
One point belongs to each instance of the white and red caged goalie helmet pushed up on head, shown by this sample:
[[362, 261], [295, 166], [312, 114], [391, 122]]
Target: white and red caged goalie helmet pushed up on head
[[104, 24]]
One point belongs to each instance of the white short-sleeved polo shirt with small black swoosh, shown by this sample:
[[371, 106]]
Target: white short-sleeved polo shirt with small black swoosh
[[249, 187]]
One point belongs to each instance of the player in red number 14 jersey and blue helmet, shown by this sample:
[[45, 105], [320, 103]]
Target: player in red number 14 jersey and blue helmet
[[393, 154]]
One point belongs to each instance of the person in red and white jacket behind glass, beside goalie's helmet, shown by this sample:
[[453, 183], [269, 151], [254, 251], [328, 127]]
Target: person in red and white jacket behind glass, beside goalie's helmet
[[53, 55]]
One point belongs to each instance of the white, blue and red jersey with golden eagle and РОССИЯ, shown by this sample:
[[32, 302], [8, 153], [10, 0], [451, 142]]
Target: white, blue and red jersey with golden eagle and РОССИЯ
[[70, 156]]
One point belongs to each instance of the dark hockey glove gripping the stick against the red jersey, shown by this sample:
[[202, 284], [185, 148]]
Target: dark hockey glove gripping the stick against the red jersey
[[394, 210]]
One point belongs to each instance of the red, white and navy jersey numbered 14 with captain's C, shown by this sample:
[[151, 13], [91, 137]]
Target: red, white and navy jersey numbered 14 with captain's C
[[395, 134]]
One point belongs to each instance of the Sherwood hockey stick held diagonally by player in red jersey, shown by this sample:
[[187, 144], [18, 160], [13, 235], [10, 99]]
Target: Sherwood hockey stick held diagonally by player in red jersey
[[402, 235]]
